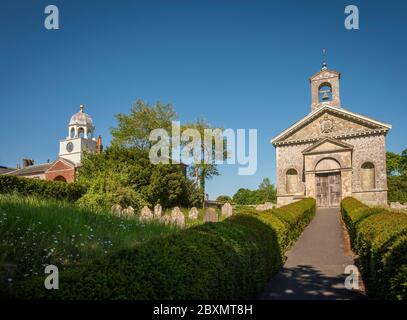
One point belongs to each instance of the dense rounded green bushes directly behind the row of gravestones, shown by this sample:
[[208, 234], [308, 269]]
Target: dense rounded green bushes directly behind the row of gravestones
[[125, 176]]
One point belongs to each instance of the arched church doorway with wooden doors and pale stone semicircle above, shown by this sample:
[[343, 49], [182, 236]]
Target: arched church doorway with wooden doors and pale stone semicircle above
[[328, 182]]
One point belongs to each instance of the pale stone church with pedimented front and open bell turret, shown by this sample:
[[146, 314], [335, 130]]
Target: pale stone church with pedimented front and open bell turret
[[331, 153]]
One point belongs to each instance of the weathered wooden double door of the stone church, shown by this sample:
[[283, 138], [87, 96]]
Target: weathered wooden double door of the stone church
[[328, 188]]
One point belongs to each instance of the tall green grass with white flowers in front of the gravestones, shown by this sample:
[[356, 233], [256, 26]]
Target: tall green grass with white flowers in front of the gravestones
[[35, 233]]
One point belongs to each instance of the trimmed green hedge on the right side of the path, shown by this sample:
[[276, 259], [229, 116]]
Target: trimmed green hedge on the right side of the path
[[379, 236]]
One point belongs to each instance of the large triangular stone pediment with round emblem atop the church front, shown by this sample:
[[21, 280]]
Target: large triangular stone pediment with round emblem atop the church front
[[332, 122]]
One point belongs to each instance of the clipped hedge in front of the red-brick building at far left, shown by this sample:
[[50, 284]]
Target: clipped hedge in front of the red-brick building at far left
[[41, 188]]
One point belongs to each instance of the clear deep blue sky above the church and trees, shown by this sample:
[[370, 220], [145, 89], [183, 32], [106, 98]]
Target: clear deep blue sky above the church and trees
[[239, 64]]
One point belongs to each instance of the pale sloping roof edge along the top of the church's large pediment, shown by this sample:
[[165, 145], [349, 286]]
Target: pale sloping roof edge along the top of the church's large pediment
[[316, 112]]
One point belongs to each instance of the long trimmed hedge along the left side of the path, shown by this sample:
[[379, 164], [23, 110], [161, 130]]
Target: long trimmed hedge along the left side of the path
[[232, 259]]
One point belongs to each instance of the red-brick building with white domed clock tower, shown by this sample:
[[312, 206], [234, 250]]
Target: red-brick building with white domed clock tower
[[80, 139]]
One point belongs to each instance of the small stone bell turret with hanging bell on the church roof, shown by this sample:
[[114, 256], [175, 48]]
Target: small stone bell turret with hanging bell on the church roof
[[325, 88]]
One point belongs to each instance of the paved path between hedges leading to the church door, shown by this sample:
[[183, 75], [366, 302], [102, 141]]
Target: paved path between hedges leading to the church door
[[315, 264]]
